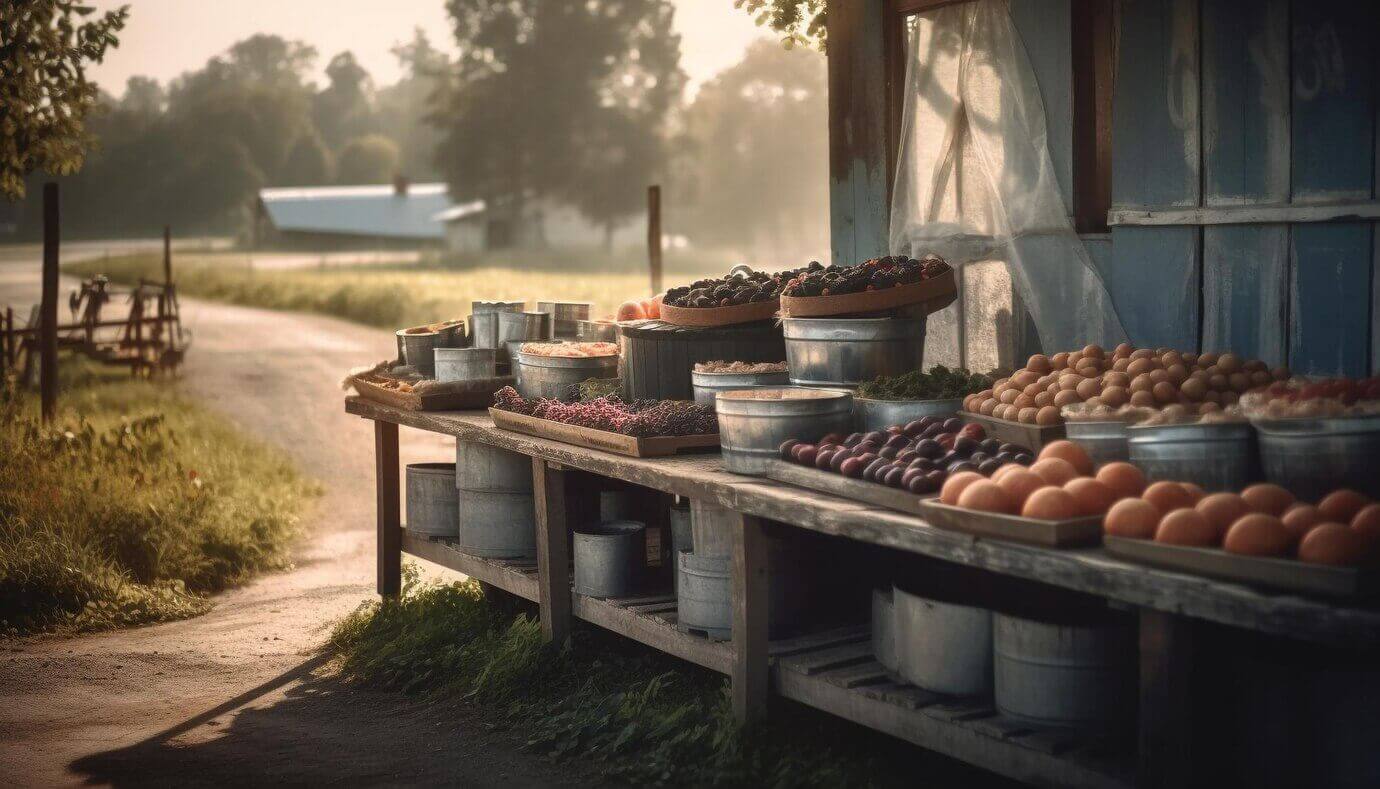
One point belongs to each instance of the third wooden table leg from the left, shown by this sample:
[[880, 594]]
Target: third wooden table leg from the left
[[750, 620]]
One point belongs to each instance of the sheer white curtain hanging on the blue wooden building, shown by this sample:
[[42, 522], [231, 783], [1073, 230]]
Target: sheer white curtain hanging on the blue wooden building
[[976, 186]]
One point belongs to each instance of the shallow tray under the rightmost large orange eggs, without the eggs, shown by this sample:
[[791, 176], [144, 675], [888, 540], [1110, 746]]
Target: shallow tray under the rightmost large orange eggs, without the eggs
[[1288, 575]]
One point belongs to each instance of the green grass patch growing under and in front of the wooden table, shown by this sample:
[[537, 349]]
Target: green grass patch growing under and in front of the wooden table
[[634, 714]]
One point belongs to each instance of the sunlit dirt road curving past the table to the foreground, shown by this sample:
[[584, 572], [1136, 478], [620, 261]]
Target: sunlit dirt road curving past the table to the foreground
[[231, 697]]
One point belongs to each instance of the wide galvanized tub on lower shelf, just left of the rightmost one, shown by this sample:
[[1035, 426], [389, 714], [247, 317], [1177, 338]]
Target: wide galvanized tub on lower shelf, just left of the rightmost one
[[942, 646]]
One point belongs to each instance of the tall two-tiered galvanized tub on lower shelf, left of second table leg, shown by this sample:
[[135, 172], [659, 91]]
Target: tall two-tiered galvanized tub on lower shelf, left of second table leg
[[497, 512]]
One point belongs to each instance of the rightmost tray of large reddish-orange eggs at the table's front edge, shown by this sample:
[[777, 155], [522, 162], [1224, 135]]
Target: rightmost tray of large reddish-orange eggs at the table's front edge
[[1261, 537]]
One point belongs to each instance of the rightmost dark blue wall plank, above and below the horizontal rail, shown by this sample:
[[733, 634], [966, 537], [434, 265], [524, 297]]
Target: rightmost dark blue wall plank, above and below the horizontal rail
[[1334, 157]]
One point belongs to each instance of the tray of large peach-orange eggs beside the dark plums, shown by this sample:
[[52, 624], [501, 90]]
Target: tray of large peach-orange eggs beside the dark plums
[[1059, 501]]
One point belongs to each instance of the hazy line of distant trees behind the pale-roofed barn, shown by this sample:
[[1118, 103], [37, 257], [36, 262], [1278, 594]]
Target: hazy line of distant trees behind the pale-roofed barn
[[575, 103]]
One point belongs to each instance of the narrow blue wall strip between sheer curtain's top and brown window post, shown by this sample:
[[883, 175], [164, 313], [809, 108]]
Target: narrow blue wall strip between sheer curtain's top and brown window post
[[1045, 28]]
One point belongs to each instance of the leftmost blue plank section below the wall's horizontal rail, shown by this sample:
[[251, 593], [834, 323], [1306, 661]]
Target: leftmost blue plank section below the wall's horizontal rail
[[1154, 285]]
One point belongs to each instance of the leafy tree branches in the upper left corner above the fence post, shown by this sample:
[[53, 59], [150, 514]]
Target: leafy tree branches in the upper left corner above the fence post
[[45, 49]]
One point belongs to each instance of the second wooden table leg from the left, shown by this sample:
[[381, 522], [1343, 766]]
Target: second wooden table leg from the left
[[553, 550]]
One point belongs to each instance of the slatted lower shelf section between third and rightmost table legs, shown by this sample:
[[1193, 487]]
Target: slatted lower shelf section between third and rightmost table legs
[[848, 682]]
